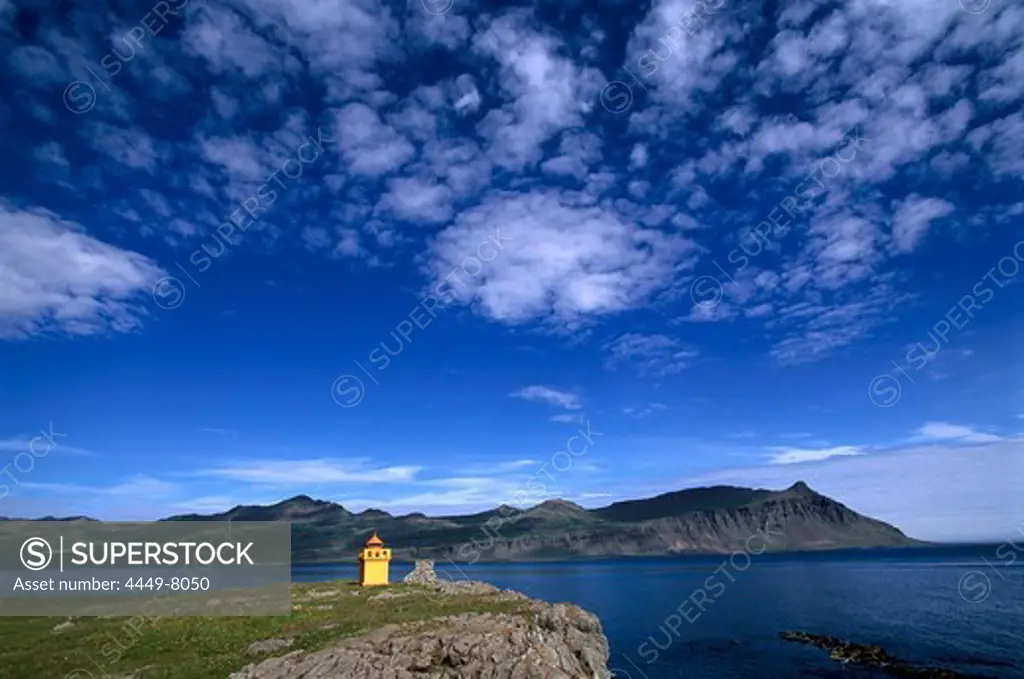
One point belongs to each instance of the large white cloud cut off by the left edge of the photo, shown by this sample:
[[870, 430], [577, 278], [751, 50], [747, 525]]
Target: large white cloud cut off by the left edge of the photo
[[54, 278]]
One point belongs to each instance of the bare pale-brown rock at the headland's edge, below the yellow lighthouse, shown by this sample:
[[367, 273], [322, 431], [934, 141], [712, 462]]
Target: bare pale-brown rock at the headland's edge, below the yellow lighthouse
[[550, 642]]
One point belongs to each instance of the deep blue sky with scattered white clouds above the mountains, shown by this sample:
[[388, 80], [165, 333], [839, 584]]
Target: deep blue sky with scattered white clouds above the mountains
[[399, 256]]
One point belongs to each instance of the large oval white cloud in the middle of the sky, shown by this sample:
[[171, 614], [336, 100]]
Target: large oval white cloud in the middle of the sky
[[560, 263]]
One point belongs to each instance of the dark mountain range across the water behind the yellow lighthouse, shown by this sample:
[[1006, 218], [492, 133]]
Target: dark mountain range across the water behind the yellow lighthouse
[[709, 521]]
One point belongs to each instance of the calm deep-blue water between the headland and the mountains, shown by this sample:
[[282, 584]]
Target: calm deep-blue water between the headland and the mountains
[[909, 602]]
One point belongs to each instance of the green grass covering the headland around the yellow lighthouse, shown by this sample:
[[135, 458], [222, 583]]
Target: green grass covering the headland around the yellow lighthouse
[[214, 648]]
